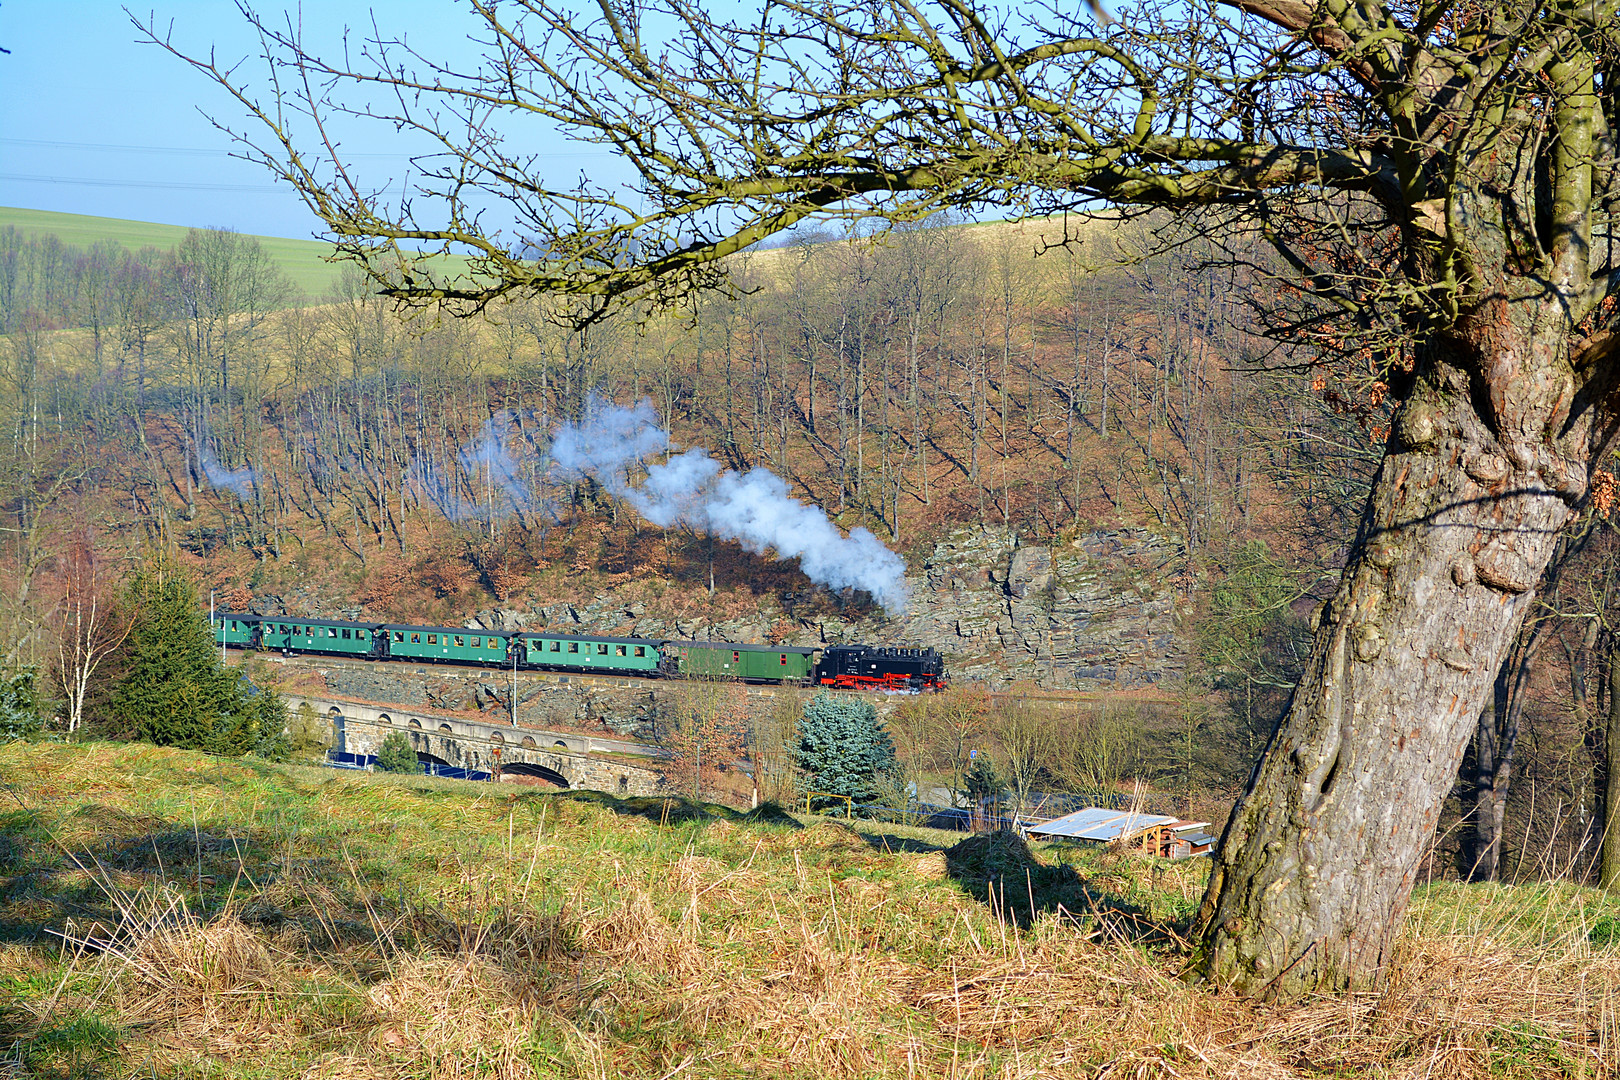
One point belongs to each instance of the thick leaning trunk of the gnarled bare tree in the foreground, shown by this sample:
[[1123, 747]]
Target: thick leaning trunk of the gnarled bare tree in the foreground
[[1321, 853]]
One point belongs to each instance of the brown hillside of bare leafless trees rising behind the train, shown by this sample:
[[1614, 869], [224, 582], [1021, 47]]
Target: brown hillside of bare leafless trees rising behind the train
[[322, 456]]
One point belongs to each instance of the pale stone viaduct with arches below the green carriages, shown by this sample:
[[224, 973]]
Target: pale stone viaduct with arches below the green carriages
[[566, 760]]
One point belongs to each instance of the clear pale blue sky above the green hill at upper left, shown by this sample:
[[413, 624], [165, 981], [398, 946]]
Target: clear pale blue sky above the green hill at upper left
[[92, 122]]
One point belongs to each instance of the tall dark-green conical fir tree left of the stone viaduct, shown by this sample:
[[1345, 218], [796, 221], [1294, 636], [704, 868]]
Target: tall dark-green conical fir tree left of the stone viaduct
[[176, 691]]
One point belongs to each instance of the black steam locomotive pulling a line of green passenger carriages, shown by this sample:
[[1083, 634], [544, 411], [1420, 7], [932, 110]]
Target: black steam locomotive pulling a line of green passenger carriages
[[840, 666]]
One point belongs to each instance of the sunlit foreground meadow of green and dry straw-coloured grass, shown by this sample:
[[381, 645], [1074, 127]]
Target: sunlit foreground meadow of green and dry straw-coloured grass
[[250, 921]]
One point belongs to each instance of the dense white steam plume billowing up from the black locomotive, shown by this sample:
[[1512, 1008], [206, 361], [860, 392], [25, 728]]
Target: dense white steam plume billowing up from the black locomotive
[[752, 508]]
